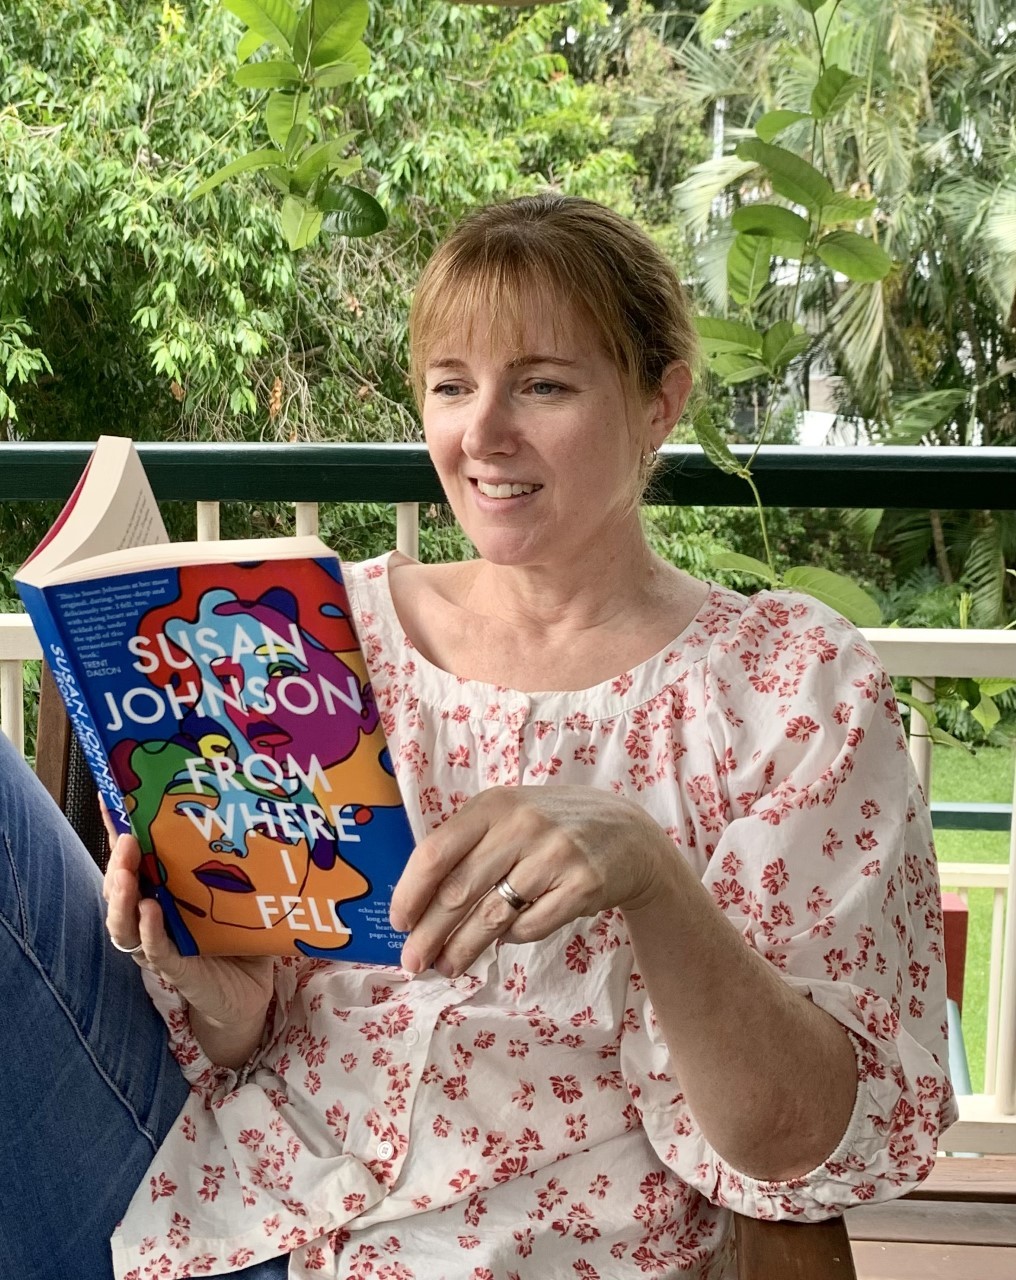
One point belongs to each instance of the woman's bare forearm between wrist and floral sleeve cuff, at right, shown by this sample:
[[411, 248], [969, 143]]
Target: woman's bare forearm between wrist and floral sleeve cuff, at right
[[770, 1077]]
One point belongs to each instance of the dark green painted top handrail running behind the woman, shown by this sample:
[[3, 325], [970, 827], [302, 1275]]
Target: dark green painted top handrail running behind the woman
[[788, 477]]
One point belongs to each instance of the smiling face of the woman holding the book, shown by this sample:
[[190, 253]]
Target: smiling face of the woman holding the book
[[538, 444]]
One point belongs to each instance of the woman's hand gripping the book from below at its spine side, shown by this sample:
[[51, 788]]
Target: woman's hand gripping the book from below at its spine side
[[228, 996]]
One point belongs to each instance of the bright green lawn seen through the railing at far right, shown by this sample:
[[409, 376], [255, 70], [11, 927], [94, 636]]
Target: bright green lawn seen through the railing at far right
[[986, 778]]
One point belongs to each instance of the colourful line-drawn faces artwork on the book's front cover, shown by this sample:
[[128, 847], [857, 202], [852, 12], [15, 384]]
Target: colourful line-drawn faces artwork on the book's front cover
[[262, 793]]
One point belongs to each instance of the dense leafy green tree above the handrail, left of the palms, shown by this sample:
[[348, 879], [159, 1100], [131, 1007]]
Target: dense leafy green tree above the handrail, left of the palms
[[125, 308]]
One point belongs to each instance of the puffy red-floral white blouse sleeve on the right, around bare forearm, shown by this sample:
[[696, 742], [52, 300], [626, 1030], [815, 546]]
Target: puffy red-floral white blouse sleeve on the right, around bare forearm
[[820, 852]]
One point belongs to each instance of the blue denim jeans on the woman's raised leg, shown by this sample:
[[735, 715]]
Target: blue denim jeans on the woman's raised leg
[[88, 1086]]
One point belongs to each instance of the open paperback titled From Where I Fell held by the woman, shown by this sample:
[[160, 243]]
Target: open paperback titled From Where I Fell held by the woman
[[222, 700]]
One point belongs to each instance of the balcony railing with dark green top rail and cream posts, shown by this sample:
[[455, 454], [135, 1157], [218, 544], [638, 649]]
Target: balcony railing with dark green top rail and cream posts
[[895, 478]]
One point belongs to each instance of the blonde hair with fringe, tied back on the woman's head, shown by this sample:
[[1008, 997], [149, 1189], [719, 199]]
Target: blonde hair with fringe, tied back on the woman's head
[[568, 255]]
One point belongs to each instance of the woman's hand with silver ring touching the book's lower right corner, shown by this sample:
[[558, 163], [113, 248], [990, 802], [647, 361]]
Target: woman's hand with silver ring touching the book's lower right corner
[[569, 852]]
